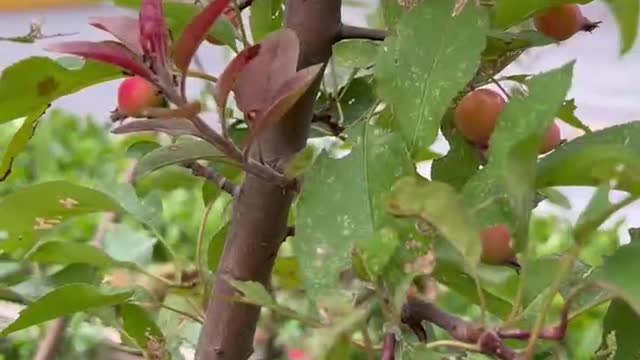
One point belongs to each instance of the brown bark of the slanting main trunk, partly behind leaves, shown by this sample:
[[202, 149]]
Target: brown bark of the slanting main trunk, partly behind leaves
[[259, 220]]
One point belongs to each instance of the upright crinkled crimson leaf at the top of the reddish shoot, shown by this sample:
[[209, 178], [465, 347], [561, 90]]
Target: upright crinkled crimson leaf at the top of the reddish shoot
[[153, 31]]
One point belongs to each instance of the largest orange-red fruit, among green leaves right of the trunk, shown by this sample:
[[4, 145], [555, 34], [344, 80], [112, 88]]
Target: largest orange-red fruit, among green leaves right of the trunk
[[477, 114]]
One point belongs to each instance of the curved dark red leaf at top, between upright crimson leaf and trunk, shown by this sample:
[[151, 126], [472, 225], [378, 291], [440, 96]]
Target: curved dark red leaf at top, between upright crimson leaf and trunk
[[195, 33]]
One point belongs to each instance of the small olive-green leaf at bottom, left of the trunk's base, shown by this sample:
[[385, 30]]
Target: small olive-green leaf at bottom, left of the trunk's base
[[139, 325]]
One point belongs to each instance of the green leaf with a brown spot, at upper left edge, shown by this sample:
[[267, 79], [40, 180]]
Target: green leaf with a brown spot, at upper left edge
[[29, 85]]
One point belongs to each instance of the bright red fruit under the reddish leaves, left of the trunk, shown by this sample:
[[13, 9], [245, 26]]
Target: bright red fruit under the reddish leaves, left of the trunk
[[136, 93]]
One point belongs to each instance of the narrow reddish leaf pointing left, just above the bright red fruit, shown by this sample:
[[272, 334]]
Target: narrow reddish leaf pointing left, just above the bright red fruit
[[109, 52]]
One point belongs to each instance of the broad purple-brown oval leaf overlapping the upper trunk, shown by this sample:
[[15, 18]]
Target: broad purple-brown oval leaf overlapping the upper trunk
[[263, 76]]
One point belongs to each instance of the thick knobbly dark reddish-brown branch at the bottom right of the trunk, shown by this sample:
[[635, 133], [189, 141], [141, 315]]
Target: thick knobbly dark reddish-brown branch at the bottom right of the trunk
[[489, 342]]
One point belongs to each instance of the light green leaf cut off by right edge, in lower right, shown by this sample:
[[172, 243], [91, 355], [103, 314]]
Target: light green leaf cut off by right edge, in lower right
[[619, 273]]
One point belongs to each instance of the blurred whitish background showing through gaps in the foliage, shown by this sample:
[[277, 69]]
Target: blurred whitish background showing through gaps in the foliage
[[606, 85]]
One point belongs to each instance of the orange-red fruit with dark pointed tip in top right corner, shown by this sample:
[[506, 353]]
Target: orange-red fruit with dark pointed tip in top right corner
[[562, 22]]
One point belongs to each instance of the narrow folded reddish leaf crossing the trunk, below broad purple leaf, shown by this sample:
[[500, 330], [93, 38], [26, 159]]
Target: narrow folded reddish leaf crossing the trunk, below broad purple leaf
[[284, 99]]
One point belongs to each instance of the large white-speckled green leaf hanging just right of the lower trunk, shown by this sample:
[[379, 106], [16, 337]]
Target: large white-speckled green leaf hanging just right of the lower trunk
[[342, 203]]
